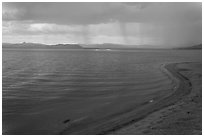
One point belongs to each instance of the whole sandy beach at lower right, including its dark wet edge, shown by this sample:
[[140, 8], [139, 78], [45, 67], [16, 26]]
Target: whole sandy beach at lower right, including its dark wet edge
[[184, 116]]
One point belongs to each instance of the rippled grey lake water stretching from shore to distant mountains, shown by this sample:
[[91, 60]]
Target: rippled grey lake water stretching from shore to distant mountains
[[46, 91]]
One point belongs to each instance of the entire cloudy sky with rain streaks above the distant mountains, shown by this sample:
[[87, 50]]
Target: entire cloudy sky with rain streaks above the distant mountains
[[131, 24]]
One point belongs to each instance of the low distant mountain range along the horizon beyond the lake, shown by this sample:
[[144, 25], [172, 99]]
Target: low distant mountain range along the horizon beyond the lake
[[90, 46]]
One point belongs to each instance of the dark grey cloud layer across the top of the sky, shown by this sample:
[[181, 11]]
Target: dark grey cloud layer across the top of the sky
[[93, 13]]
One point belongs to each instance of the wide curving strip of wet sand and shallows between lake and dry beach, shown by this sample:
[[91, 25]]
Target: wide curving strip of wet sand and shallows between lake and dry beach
[[119, 121]]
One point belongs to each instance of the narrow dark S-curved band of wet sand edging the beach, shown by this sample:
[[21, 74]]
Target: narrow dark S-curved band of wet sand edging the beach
[[183, 88]]
